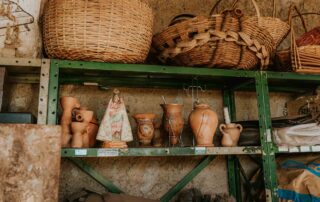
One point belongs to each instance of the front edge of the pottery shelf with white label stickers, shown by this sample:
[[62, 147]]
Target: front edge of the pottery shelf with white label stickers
[[166, 151]]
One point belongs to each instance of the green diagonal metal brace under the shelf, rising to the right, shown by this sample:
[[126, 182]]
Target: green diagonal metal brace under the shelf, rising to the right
[[186, 179]]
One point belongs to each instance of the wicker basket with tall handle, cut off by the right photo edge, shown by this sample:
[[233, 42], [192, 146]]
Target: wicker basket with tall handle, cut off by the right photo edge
[[306, 58]]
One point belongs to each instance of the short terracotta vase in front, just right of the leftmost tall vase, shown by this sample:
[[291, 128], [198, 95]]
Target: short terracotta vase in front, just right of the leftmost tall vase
[[78, 129]]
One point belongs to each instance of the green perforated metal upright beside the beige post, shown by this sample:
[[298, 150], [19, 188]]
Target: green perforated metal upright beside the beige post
[[53, 93]]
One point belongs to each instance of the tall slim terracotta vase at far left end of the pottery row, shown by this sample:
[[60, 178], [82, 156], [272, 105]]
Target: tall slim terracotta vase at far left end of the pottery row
[[68, 104]]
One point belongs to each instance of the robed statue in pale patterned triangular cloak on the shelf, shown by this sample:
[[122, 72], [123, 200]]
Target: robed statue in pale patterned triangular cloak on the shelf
[[115, 130]]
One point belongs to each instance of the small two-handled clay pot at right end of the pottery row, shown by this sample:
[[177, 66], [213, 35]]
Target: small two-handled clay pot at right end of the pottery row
[[231, 134]]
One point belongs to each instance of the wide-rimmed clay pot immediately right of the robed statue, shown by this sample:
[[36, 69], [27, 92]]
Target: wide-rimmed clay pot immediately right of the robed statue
[[145, 129]]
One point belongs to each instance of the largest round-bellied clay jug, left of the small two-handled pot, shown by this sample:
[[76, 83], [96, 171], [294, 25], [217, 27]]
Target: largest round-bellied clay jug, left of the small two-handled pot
[[203, 122]]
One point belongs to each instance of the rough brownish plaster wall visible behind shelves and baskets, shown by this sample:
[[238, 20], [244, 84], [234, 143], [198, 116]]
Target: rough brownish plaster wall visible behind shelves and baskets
[[152, 177]]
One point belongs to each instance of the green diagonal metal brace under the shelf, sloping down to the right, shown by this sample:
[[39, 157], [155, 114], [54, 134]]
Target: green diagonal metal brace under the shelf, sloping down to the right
[[95, 175]]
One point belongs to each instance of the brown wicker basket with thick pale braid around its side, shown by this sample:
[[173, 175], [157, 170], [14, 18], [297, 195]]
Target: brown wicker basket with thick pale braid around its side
[[225, 40]]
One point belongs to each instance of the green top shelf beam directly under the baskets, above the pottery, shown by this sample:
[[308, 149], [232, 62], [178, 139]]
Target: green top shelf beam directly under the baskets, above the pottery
[[153, 69]]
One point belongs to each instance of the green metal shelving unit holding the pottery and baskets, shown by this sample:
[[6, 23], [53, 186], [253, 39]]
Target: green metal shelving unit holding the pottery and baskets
[[156, 76]]
